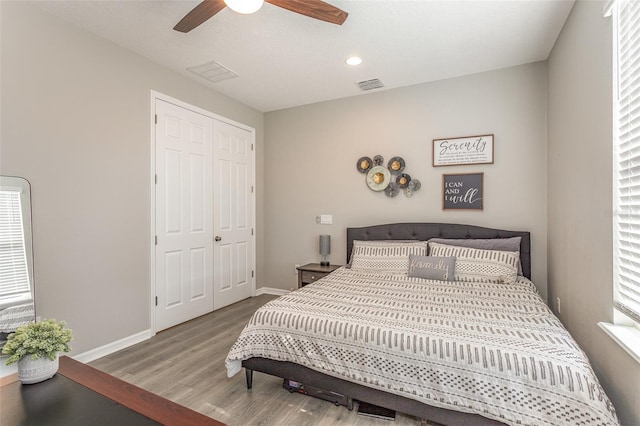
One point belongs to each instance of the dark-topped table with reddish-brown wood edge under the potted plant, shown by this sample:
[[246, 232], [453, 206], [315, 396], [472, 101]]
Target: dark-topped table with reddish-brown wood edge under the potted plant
[[82, 395]]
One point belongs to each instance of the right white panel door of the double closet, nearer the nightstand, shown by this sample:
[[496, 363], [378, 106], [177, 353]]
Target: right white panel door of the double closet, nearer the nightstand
[[233, 214]]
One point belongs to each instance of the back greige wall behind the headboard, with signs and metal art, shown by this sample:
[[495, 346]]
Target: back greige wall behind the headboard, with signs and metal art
[[312, 154]]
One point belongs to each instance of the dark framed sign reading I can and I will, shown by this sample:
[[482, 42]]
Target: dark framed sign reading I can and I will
[[462, 191]]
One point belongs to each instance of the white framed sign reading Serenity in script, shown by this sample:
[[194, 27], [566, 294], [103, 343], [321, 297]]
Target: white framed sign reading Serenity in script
[[463, 151]]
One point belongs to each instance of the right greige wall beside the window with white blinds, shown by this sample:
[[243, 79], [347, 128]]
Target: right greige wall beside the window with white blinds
[[580, 198]]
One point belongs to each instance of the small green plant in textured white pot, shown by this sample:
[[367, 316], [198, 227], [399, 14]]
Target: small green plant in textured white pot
[[35, 347]]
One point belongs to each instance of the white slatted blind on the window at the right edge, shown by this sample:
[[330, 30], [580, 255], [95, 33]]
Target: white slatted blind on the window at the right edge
[[627, 158]]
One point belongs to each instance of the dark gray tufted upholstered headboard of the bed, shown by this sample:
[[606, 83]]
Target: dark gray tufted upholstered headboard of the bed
[[425, 231]]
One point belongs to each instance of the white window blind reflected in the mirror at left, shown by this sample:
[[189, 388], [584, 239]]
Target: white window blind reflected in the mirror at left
[[14, 275]]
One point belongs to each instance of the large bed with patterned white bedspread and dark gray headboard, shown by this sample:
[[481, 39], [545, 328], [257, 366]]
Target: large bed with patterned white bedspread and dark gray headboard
[[455, 353]]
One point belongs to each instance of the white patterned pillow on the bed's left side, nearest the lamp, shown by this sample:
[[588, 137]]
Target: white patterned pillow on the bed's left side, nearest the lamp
[[388, 256]]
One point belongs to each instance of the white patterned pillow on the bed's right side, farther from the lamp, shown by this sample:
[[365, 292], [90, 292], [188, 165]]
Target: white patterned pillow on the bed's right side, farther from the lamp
[[476, 265]]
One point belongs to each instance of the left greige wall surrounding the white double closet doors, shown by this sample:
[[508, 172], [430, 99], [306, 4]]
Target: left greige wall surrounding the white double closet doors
[[76, 123]]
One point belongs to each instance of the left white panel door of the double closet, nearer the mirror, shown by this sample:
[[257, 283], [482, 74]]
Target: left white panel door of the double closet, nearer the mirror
[[184, 207]]
